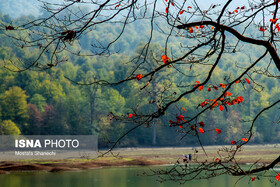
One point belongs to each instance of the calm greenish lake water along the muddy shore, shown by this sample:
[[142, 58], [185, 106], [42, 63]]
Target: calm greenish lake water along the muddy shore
[[114, 177]]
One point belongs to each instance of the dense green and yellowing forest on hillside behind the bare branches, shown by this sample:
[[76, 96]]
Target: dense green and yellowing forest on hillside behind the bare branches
[[50, 102]]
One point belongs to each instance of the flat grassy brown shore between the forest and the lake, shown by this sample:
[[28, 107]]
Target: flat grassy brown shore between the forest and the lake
[[263, 154]]
